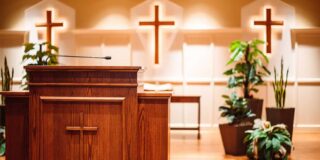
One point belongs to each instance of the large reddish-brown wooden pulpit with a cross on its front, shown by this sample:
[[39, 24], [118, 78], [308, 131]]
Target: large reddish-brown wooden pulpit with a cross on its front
[[86, 112]]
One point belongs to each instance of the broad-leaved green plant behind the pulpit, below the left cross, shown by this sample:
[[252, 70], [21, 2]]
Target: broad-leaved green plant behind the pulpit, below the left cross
[[36, 54]]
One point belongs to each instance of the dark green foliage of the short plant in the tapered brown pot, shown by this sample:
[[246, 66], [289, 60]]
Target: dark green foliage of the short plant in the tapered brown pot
[[236, 110]]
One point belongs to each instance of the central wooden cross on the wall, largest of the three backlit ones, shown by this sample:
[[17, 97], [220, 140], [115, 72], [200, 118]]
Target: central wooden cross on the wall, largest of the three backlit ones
[[156, 23]]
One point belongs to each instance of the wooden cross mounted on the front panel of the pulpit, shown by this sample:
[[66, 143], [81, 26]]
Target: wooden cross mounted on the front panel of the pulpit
[[82, 129]]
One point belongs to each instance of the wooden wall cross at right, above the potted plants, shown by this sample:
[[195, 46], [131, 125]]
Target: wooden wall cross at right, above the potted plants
[[268, 23]]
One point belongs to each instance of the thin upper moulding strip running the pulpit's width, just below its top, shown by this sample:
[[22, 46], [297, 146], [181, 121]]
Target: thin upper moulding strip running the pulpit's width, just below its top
[[87, 84]]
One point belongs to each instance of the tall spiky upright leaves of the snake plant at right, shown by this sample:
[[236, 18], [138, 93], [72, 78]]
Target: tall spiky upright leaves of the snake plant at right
[[280, 87]]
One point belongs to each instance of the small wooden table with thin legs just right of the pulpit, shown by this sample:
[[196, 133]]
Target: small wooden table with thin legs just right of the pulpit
[[188, 99]]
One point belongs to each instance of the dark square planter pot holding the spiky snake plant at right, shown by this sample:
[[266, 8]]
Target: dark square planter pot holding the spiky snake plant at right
[[284, 116]]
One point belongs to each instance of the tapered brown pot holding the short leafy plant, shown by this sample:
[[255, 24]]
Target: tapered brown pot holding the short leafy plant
[[232, 138]]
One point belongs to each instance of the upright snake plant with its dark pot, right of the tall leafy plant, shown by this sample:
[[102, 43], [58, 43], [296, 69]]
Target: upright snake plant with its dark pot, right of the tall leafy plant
[[280, 114]]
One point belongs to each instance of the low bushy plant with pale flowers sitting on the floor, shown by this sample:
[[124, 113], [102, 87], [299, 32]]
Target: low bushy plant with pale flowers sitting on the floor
[[267, 142]]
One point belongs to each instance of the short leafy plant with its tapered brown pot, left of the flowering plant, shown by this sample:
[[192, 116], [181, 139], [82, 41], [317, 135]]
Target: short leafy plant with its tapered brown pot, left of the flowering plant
[[238, 116]]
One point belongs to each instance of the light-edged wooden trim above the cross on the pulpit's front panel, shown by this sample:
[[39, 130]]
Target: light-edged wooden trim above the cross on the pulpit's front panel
[[81, 99]]
